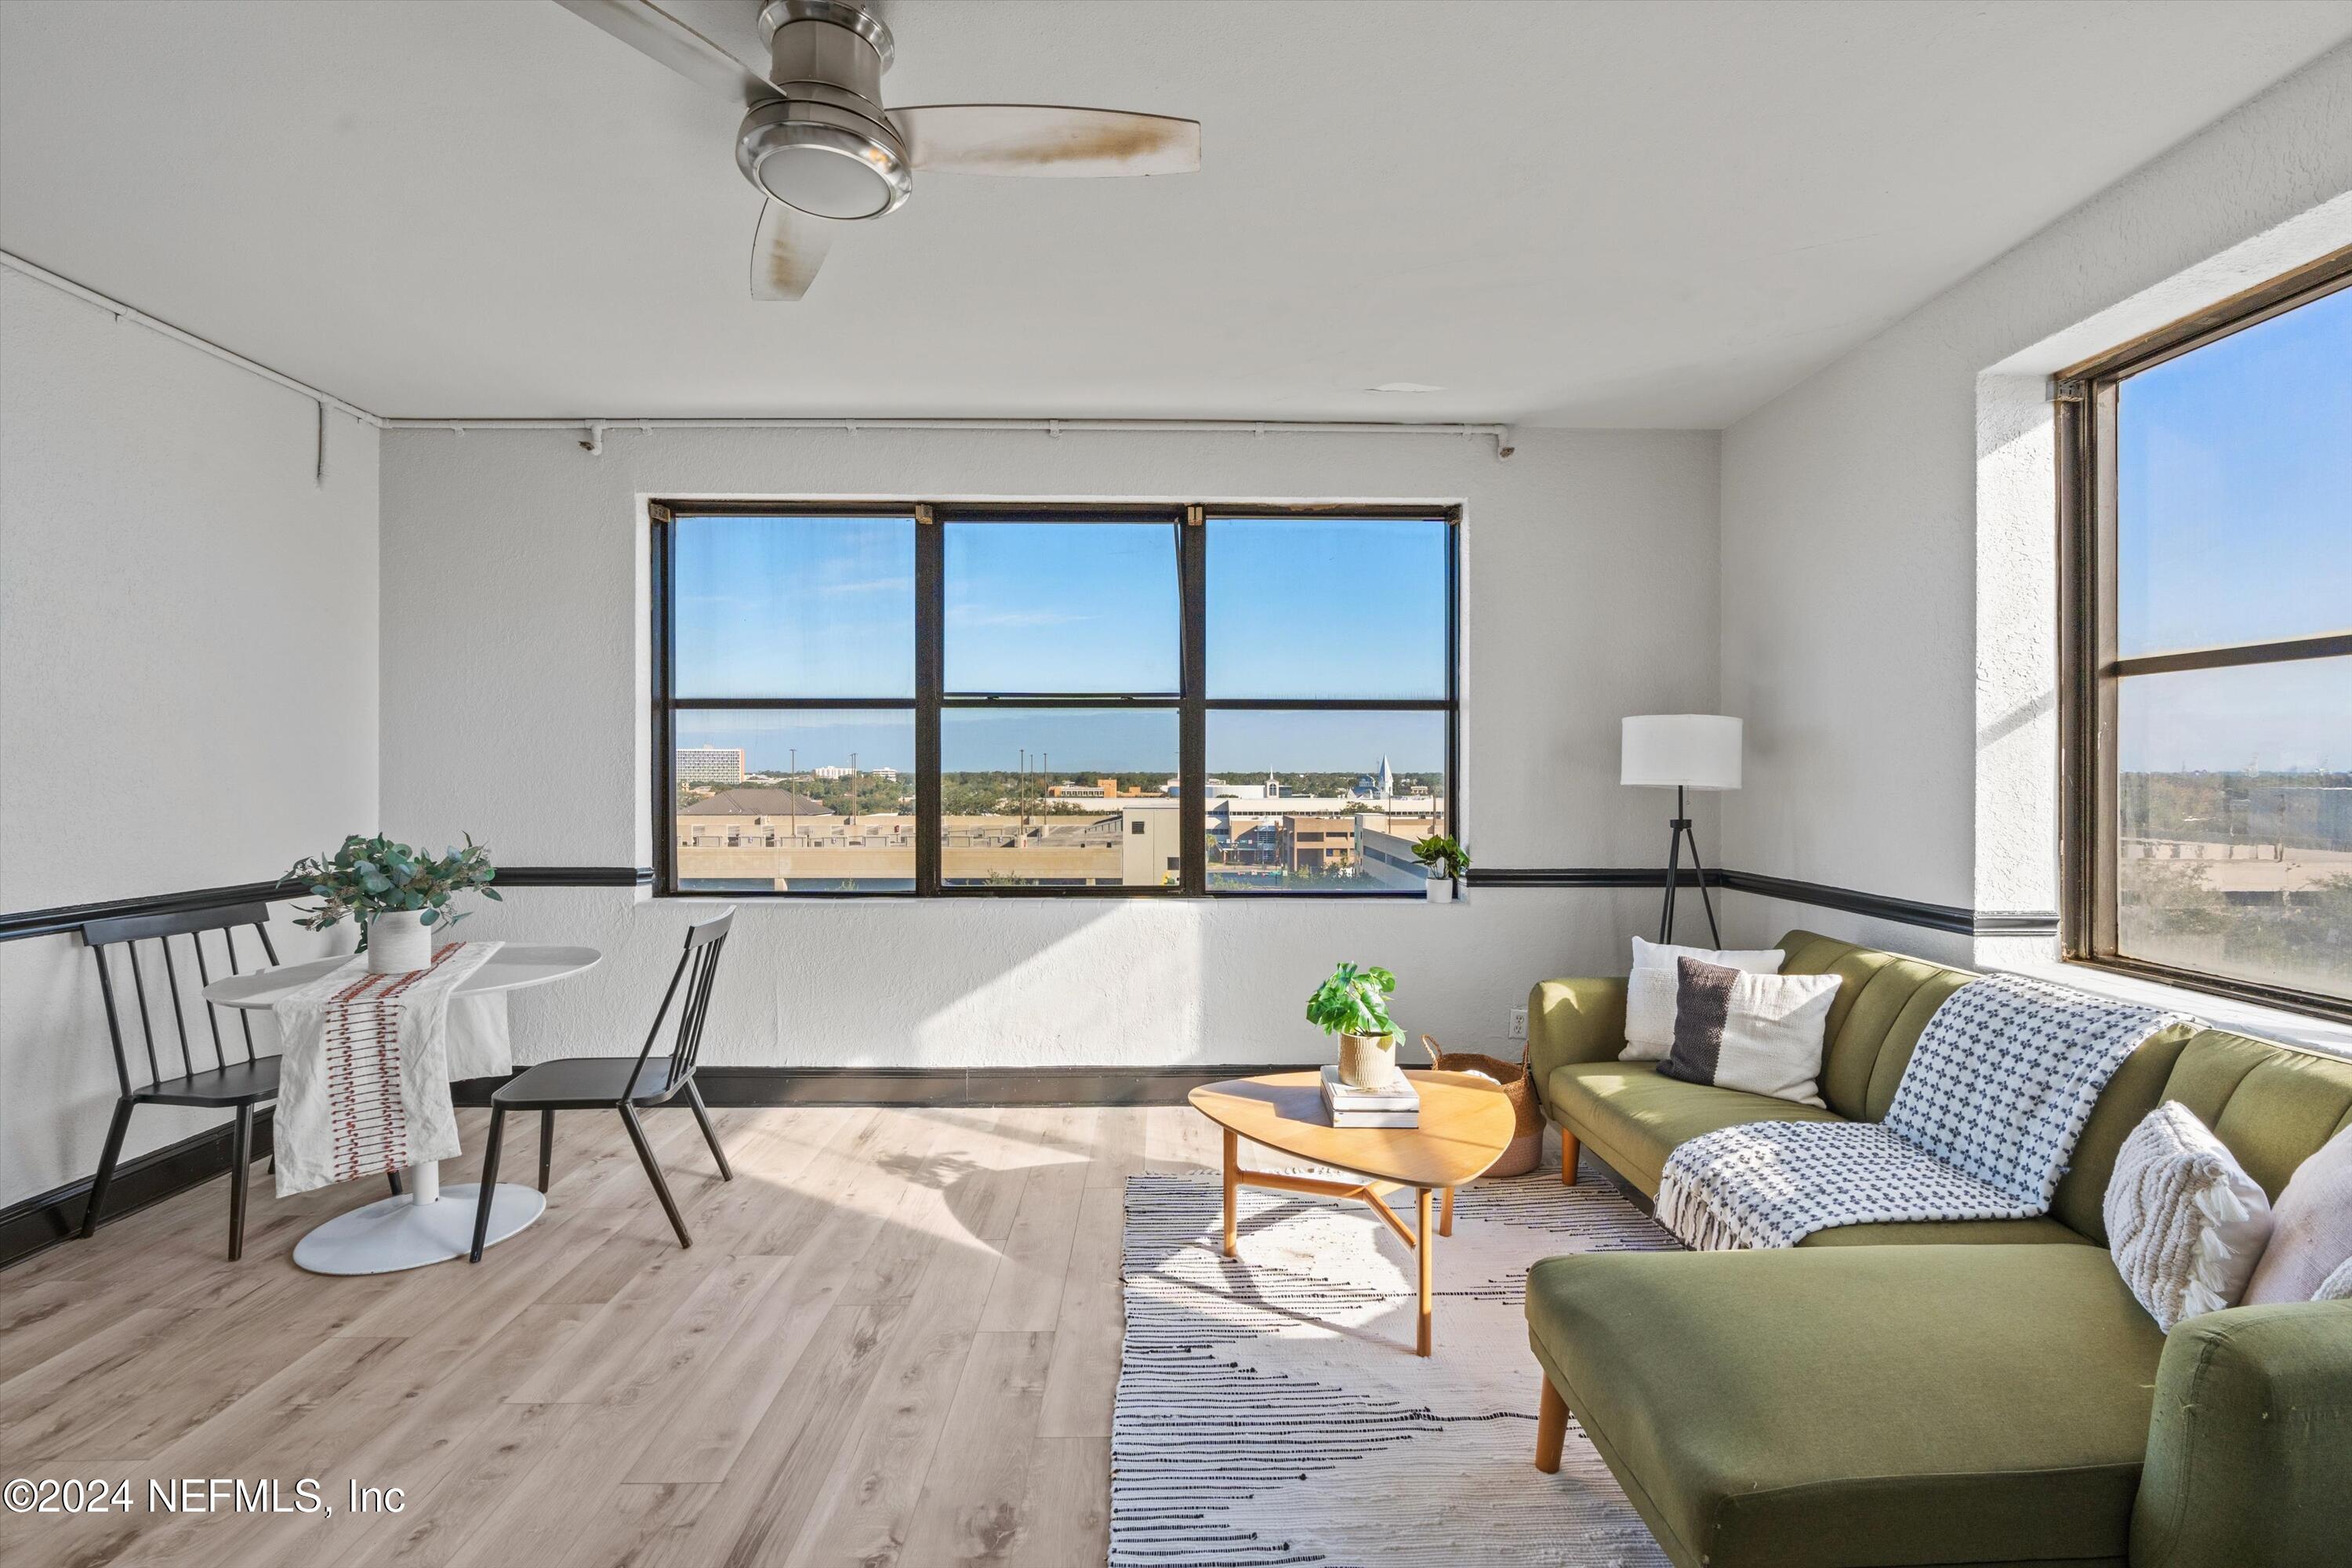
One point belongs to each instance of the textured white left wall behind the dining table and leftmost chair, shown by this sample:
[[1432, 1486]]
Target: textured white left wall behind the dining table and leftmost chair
[[187, 671]]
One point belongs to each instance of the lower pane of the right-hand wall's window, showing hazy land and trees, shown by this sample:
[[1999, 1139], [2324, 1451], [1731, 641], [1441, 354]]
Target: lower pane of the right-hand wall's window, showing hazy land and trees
[[2236, 838]]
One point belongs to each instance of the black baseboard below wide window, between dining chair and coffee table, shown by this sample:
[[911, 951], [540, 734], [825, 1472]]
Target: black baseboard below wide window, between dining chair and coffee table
[[749, 1087]]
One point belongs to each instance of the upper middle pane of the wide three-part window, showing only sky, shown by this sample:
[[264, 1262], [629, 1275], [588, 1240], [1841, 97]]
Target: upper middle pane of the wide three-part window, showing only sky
[[1062, 608]]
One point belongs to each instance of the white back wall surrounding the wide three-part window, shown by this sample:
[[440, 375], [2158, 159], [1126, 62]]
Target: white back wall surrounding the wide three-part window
[[514, 709]]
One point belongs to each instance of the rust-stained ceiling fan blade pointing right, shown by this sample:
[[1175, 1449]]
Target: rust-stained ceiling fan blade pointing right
[[1045, 140]]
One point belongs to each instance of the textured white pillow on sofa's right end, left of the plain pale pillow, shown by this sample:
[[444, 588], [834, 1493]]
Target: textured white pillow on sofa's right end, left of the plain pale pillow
[[2184, 1219]]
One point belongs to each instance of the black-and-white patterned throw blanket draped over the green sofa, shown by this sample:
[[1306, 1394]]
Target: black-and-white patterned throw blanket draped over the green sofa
[[1982, 1127]]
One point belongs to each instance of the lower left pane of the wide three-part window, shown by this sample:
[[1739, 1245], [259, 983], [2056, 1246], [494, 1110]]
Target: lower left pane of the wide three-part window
[[796, 803]]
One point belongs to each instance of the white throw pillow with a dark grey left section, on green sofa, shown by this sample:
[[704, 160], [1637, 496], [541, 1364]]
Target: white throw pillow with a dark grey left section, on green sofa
[[1749, 1031]]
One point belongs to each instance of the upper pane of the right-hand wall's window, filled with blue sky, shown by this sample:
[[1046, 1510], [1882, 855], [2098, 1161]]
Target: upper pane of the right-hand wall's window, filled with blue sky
[[2236, 488]]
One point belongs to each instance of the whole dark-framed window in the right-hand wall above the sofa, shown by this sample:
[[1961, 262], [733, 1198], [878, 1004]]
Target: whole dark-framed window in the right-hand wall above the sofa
[[2210, 634]]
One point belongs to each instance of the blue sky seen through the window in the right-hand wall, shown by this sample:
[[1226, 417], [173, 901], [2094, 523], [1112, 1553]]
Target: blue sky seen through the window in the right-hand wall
[[2236, 525]]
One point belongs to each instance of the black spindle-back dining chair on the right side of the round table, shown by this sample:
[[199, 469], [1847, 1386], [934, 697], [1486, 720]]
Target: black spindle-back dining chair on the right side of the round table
[[620, 1083]]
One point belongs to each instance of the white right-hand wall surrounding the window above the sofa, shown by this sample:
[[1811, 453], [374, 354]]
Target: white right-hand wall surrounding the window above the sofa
[[1887, 532]]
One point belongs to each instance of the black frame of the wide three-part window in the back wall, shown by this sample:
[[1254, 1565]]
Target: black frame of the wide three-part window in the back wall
[[930, 702]]
